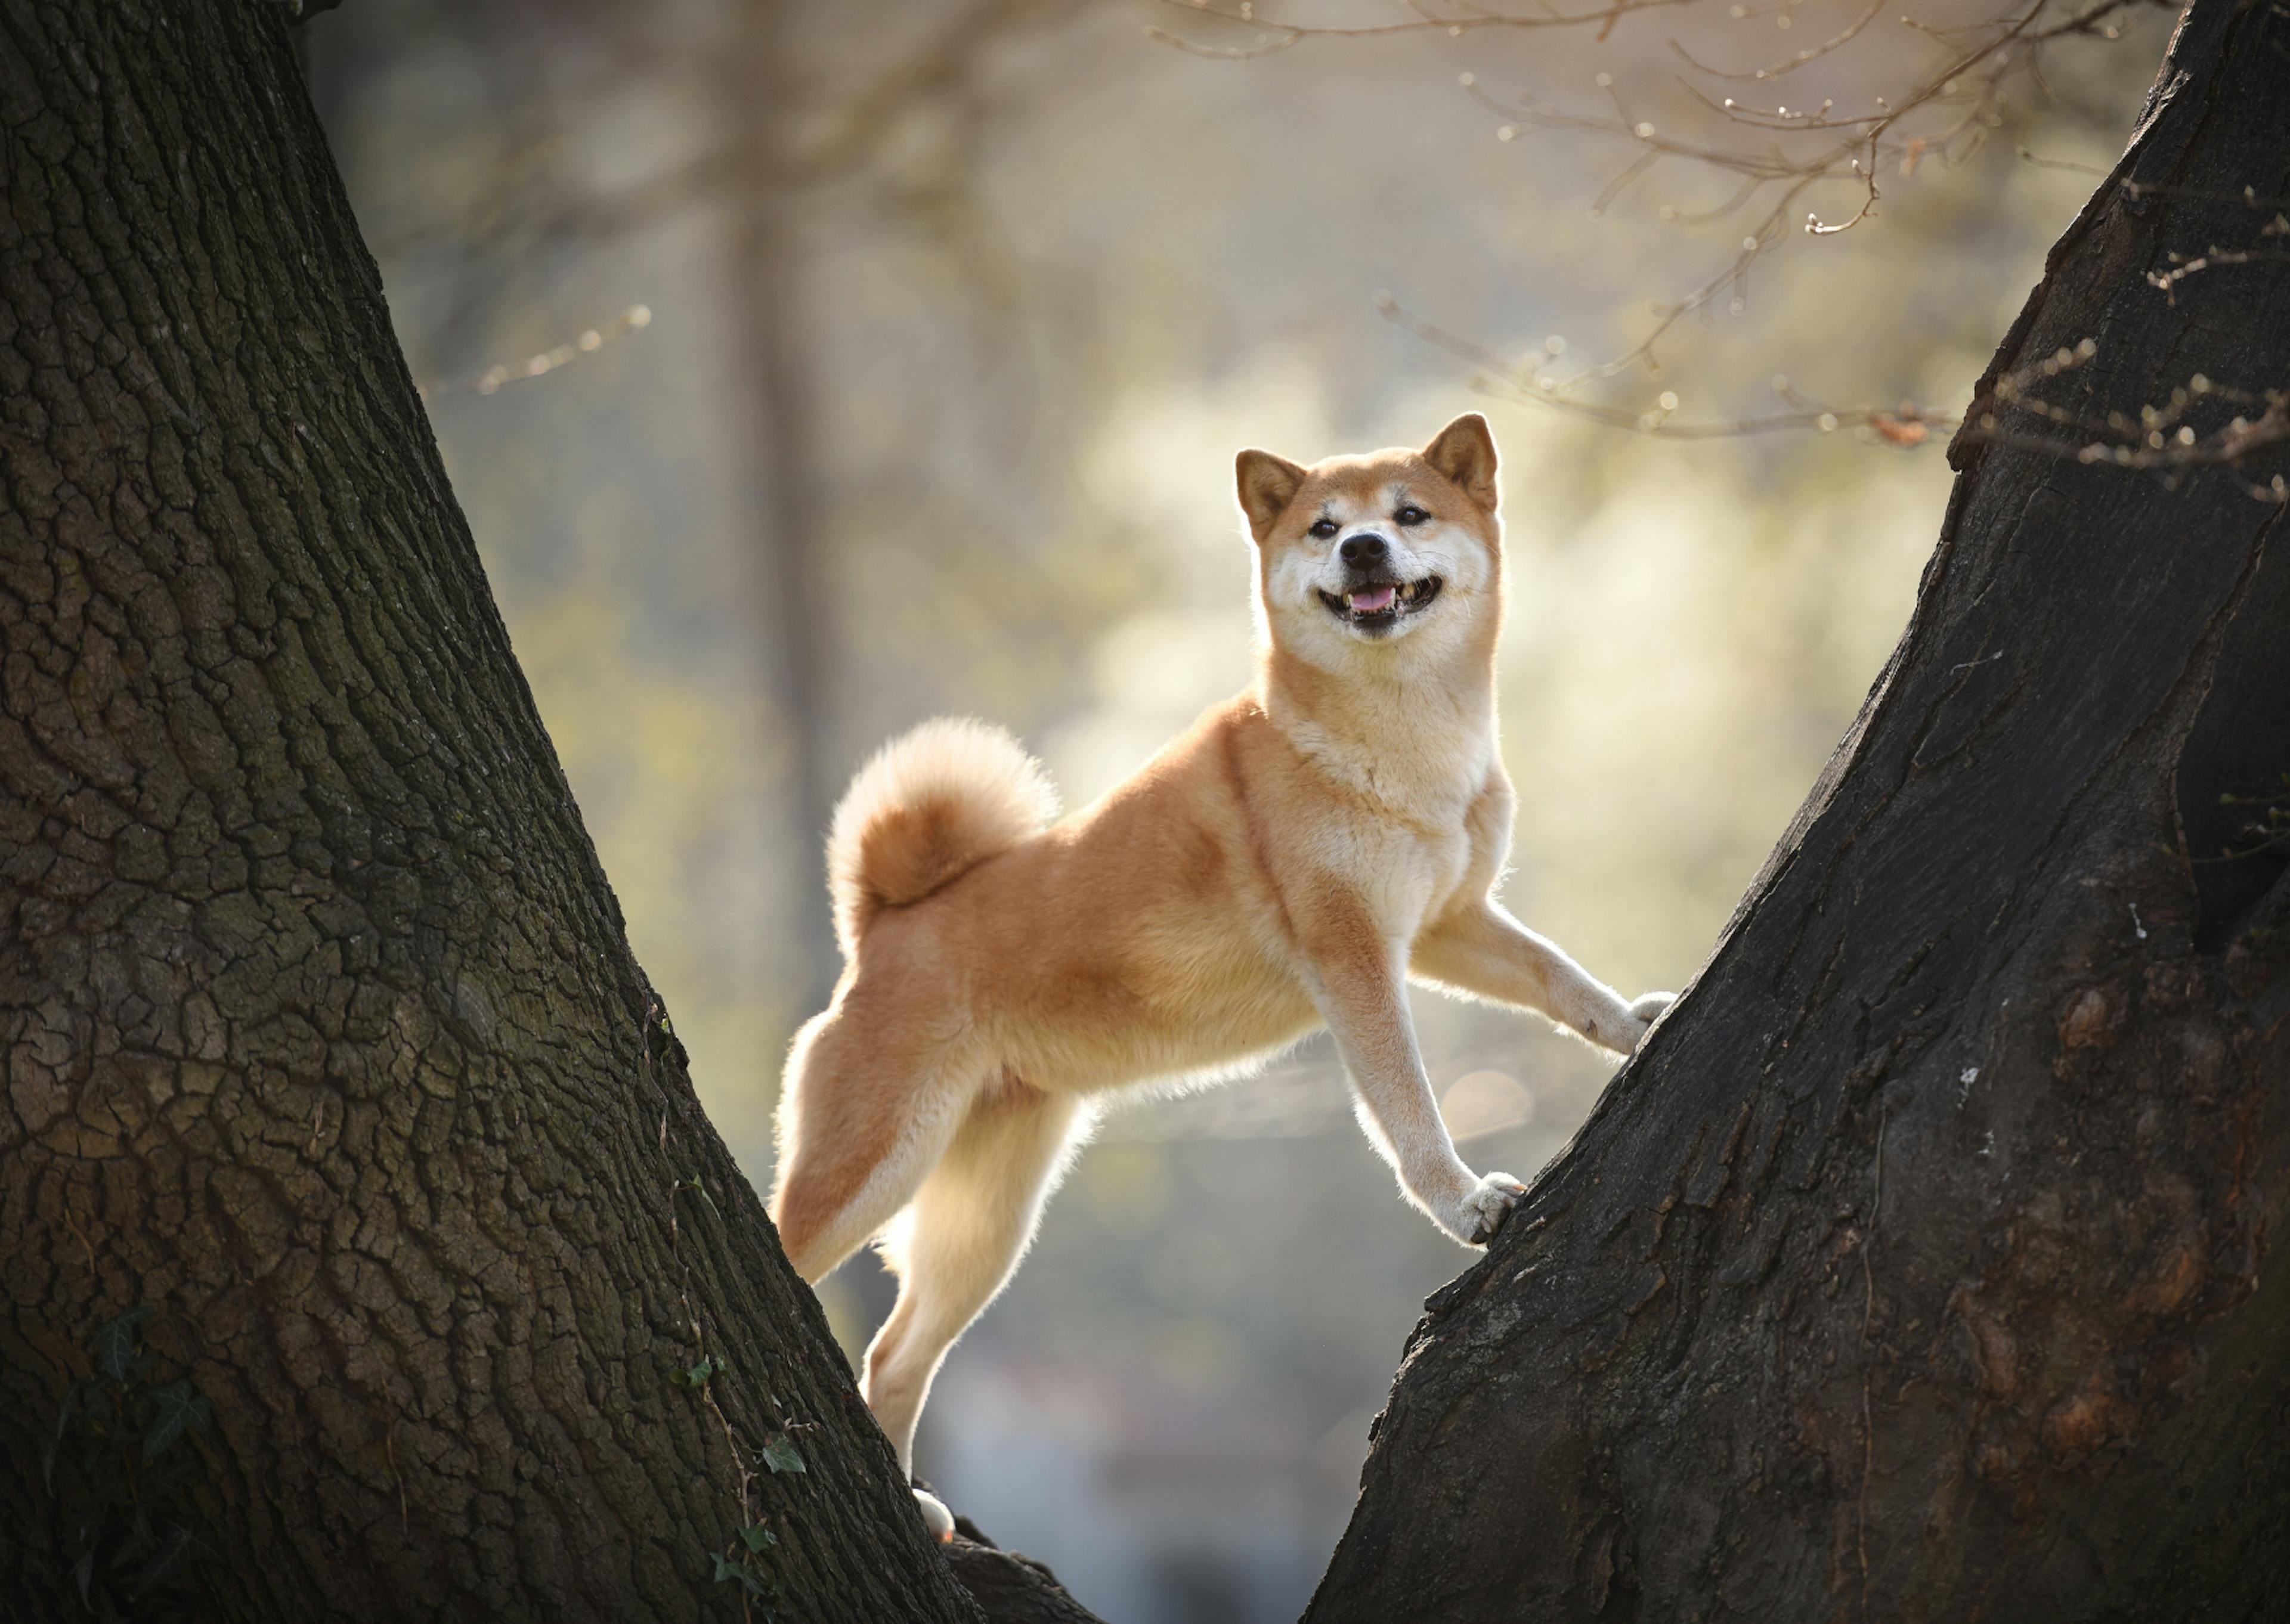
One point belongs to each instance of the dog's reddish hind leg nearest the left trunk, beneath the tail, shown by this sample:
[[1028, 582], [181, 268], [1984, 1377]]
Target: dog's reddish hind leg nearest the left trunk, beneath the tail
[[864, 1112]]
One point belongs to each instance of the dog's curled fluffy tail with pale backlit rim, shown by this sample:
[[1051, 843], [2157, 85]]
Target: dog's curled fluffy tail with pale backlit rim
[[929, 810]]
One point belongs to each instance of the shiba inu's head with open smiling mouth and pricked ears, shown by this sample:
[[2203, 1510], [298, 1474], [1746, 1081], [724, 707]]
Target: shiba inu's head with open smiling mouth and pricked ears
[[1382, 549]]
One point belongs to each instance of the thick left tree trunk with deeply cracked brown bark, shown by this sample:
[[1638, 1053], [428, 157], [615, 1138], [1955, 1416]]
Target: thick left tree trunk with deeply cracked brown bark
[[322, 1030]]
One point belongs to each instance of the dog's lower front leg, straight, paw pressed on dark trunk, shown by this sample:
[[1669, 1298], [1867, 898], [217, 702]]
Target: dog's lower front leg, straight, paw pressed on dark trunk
[[1361, 991]]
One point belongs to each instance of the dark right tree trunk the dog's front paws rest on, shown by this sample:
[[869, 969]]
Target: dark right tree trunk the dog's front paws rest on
[[1920, 1268]]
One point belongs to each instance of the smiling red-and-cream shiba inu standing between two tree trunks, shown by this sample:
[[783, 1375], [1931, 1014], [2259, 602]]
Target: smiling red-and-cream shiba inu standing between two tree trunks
[[1286, 865]]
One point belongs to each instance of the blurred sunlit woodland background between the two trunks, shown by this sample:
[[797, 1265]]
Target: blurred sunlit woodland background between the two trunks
[[812, 370]]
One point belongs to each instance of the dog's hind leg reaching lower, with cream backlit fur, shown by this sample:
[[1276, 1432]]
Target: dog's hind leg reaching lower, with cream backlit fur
[[961, 1240]]
